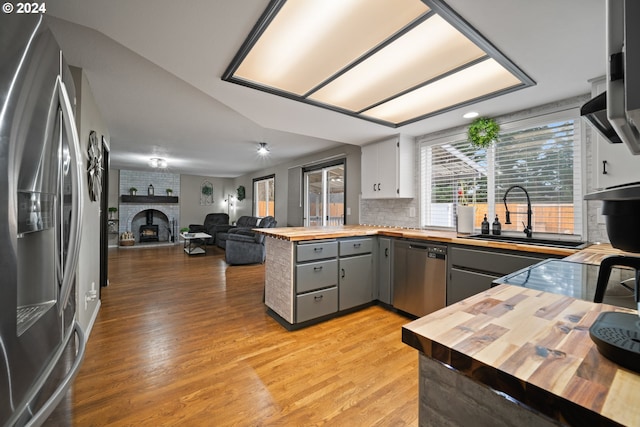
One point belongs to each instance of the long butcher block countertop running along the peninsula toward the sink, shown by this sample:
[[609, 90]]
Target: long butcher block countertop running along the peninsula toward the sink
[[296, 234]]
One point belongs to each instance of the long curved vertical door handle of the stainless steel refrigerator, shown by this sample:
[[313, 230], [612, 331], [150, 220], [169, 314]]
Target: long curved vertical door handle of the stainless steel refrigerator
[[76, 206]]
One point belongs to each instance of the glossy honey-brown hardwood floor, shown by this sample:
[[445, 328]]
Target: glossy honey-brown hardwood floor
[[185, 340]]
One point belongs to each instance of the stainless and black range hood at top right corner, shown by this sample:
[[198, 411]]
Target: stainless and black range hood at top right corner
[[616, 112]]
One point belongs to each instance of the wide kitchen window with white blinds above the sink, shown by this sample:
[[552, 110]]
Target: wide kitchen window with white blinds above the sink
[[541, 154]]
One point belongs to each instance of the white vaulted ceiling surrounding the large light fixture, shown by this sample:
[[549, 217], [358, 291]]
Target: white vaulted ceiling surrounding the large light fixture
[[155, 67]]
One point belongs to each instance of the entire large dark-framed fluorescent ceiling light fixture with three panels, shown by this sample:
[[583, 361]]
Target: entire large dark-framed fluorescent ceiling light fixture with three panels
[[392, 62]]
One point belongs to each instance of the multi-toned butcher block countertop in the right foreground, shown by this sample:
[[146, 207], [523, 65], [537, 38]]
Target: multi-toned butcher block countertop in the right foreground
[[535, 347]]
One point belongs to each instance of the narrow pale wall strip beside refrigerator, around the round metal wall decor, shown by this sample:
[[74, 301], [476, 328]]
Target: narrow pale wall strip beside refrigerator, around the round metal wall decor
[[88, 118]]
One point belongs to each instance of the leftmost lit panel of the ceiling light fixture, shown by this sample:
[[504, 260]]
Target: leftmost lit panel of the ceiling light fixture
[[309, 41]]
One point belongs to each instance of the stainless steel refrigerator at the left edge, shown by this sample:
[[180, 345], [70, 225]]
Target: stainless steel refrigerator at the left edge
[[41, 343]]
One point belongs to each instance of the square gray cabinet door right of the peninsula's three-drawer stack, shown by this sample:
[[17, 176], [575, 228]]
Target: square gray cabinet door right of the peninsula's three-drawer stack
[[355, 284]]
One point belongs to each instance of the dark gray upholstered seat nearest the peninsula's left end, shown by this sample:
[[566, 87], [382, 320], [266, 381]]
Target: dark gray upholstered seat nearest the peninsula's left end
[[246, 246]]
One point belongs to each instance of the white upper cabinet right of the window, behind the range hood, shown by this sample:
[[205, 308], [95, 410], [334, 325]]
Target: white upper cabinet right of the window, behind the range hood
[[614, 163]]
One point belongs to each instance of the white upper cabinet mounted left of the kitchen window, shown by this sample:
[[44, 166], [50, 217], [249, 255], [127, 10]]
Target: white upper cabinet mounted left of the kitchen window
[[388, 169]]
